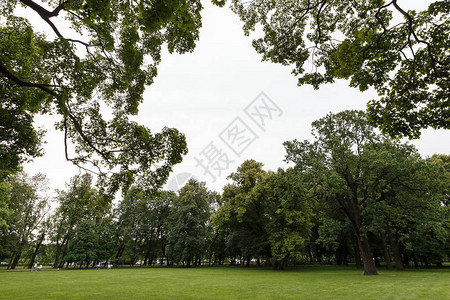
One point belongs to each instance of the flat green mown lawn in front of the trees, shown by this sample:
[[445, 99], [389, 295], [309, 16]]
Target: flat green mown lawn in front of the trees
[[306, 282]]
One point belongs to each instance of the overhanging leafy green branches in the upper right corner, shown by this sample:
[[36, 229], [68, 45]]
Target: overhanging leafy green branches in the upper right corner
[[405, 61]]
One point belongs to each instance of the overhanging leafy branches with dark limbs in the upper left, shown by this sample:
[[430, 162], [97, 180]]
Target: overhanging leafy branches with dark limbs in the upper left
[[103, 53]]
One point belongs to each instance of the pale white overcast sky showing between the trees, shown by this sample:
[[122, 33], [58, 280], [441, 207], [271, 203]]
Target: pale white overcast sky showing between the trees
[[231, 107]]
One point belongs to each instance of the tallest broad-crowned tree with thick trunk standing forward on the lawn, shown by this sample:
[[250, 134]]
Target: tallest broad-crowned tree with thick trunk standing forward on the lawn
[[388, 192]]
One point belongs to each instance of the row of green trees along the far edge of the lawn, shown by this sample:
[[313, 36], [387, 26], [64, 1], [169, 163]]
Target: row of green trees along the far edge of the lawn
[[351, 196]]
